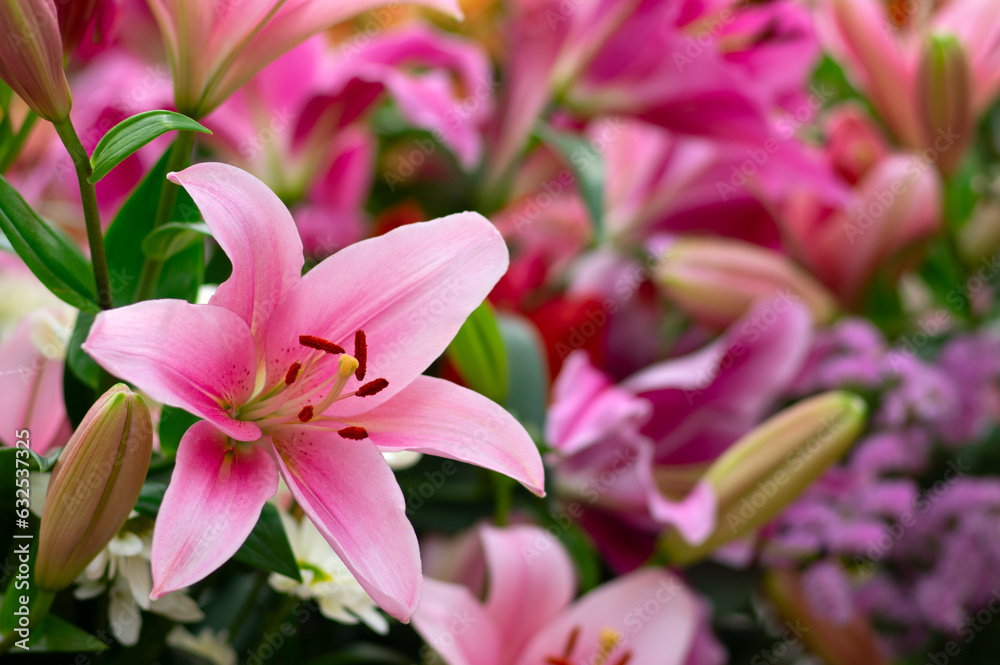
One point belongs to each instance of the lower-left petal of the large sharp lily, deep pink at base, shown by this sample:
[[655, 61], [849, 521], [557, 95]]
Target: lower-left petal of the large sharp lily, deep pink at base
[[214, 499]]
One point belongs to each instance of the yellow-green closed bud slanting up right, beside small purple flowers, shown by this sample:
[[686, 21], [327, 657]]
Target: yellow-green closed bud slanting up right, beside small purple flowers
[[769, 467]]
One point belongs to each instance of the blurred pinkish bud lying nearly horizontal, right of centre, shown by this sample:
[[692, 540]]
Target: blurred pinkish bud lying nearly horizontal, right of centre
[[717, 280]]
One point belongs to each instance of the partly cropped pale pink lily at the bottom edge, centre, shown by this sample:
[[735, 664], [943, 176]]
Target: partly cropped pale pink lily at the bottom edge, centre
[[529, 617]]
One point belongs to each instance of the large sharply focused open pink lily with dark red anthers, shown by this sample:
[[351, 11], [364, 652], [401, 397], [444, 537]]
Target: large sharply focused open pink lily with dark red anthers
[[265, 365]]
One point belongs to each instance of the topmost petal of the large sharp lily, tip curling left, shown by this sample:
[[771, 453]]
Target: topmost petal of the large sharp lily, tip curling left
[[257, 233]]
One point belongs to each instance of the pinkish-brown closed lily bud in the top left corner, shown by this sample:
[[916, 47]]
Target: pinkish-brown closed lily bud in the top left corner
[[31, 56]]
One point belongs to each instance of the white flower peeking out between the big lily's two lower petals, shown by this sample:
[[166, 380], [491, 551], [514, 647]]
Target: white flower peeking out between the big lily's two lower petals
[[325, 578]]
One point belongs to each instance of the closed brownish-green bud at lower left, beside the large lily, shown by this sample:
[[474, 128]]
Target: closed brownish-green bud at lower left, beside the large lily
[[94, 486]]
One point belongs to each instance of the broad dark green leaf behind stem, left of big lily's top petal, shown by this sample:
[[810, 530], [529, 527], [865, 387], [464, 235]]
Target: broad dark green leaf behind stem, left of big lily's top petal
[[131, 226]]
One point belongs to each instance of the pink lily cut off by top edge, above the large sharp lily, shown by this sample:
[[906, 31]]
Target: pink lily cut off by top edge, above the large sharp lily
[[216, 46]]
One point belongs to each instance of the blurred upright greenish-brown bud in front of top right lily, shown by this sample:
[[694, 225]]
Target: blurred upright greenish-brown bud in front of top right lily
[[944, 99]]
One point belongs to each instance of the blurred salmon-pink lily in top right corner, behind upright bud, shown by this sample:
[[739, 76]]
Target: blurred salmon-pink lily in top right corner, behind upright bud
[[881, 45]]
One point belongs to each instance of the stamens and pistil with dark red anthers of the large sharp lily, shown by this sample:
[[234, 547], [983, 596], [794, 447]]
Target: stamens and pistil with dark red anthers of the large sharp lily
[[302, 398]]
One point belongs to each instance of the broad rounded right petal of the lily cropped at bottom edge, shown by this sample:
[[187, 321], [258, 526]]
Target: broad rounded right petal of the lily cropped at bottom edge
[[625, 606]]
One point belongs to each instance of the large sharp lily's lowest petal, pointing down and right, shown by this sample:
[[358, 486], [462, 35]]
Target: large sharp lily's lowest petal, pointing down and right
[[349, 492]]
